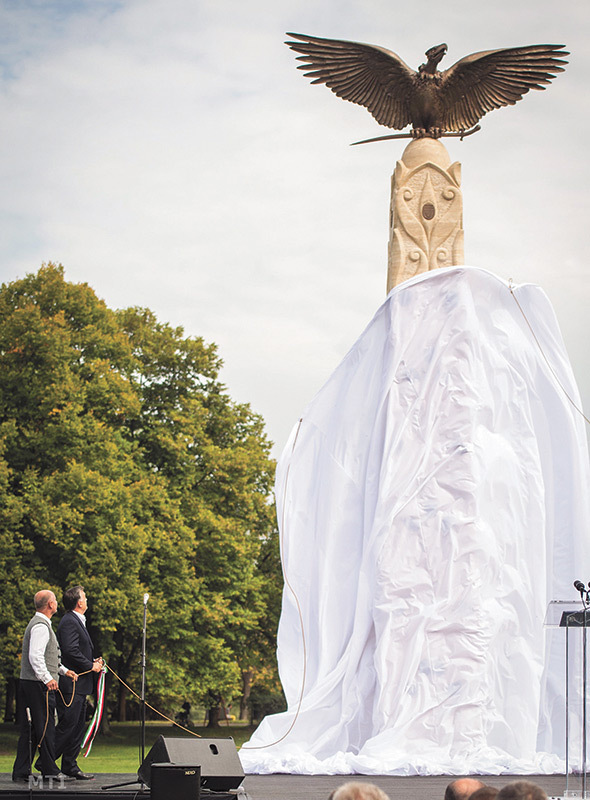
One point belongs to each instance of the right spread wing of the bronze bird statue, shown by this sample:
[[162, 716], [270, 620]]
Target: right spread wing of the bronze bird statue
[[494, 78]]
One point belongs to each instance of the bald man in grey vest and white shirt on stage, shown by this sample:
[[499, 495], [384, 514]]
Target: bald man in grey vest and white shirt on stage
[[40, 669]]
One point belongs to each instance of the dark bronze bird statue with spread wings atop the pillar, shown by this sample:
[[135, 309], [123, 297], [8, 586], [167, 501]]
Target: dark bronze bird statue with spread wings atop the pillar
[[434, 103]]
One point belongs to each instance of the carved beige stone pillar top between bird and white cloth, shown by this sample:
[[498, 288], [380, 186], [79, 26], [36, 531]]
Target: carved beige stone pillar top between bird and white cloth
[[426, 212]]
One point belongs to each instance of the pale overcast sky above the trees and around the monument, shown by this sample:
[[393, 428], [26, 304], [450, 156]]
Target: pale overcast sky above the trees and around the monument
[[170, 154]]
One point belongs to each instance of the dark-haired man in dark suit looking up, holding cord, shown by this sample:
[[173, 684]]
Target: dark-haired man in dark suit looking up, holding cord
[[77, 652]]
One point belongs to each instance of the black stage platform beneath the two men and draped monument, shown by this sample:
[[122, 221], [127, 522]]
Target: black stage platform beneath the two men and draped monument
[[271, 787]]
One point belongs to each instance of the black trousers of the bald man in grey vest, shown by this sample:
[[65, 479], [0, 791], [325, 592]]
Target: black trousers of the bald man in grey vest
[[34, 695]]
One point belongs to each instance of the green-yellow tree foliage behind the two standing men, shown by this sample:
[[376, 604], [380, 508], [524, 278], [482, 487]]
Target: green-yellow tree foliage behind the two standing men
[[125, 466]]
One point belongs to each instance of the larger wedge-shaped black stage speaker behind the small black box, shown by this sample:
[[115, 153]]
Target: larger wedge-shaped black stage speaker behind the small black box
[[221, 769]]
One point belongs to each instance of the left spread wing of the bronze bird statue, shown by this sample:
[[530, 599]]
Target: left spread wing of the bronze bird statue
[[365, 74]]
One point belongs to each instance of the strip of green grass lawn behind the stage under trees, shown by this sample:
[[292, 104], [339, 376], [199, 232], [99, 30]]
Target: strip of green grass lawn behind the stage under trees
[[120, 752]]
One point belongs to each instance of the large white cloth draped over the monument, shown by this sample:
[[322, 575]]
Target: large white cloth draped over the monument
[[431, 502]]
